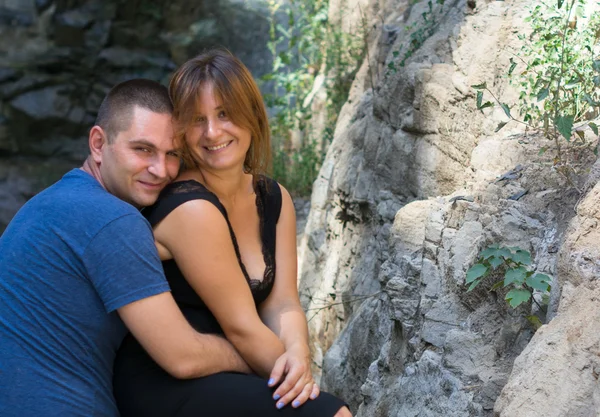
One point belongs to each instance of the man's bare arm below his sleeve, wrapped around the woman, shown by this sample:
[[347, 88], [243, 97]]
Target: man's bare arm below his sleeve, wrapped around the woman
[[160, 327]]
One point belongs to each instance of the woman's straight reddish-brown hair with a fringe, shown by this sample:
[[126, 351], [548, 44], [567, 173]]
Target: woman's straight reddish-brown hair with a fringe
[[241, 98]]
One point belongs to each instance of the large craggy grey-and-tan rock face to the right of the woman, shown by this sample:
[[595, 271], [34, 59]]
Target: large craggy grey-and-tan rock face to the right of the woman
[[414, 185]]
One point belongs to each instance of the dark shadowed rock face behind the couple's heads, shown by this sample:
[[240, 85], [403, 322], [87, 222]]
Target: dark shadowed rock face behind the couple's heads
[[59, 59]]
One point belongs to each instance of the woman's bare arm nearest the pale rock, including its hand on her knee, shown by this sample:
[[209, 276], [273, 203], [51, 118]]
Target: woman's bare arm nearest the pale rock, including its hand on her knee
[[283, 313]]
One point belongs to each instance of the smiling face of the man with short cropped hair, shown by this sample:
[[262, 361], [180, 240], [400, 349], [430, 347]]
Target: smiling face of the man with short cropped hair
[[142, 160]]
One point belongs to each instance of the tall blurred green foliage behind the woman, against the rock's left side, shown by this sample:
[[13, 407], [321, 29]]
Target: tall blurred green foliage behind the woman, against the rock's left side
[[308, 44]]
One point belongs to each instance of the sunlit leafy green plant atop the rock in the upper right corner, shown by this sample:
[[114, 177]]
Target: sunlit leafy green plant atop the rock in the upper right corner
[[557, 71]]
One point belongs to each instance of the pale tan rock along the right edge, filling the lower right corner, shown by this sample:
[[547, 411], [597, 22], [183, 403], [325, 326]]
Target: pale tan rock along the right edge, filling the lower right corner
[[557, 374]]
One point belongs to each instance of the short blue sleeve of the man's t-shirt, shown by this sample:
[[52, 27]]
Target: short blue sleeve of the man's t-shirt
[[123, 264]]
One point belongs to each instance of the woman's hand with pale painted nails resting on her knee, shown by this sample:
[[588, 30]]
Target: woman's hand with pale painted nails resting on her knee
[[297, 383]]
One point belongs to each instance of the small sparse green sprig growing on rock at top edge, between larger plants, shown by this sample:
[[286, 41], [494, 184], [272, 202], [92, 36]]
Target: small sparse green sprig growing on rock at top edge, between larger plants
[[419, 33]]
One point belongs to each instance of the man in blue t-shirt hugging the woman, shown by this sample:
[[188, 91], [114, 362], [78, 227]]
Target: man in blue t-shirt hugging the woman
[[79, 257]]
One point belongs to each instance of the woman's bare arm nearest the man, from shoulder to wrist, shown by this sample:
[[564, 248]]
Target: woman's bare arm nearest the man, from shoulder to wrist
[[197, 236]]
